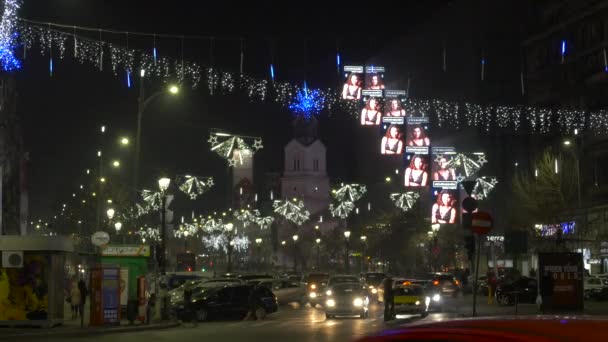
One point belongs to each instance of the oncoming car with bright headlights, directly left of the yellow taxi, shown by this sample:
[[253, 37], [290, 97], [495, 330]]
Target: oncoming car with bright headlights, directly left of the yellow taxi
[[346, 298]]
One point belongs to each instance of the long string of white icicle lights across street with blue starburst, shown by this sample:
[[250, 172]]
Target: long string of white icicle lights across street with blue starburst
[[302, 101]]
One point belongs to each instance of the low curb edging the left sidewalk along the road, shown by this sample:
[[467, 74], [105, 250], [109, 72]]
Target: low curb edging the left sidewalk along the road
[[83, 332]]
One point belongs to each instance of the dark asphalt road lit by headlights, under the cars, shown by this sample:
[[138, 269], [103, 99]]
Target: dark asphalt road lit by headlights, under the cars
[[294, 323]]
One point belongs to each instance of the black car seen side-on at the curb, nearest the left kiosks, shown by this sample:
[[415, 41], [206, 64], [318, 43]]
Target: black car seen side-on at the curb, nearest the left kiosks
[[231, 301]]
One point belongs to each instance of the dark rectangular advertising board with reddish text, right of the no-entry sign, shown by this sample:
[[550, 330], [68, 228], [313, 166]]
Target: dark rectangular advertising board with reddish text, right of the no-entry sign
[[561, 281]]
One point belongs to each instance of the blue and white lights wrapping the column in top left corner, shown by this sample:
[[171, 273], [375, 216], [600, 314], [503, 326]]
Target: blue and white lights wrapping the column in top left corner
[[8, 36]]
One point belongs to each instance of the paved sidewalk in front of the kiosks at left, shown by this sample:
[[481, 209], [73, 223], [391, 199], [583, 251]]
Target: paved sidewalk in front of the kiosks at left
[[72, 328]]
